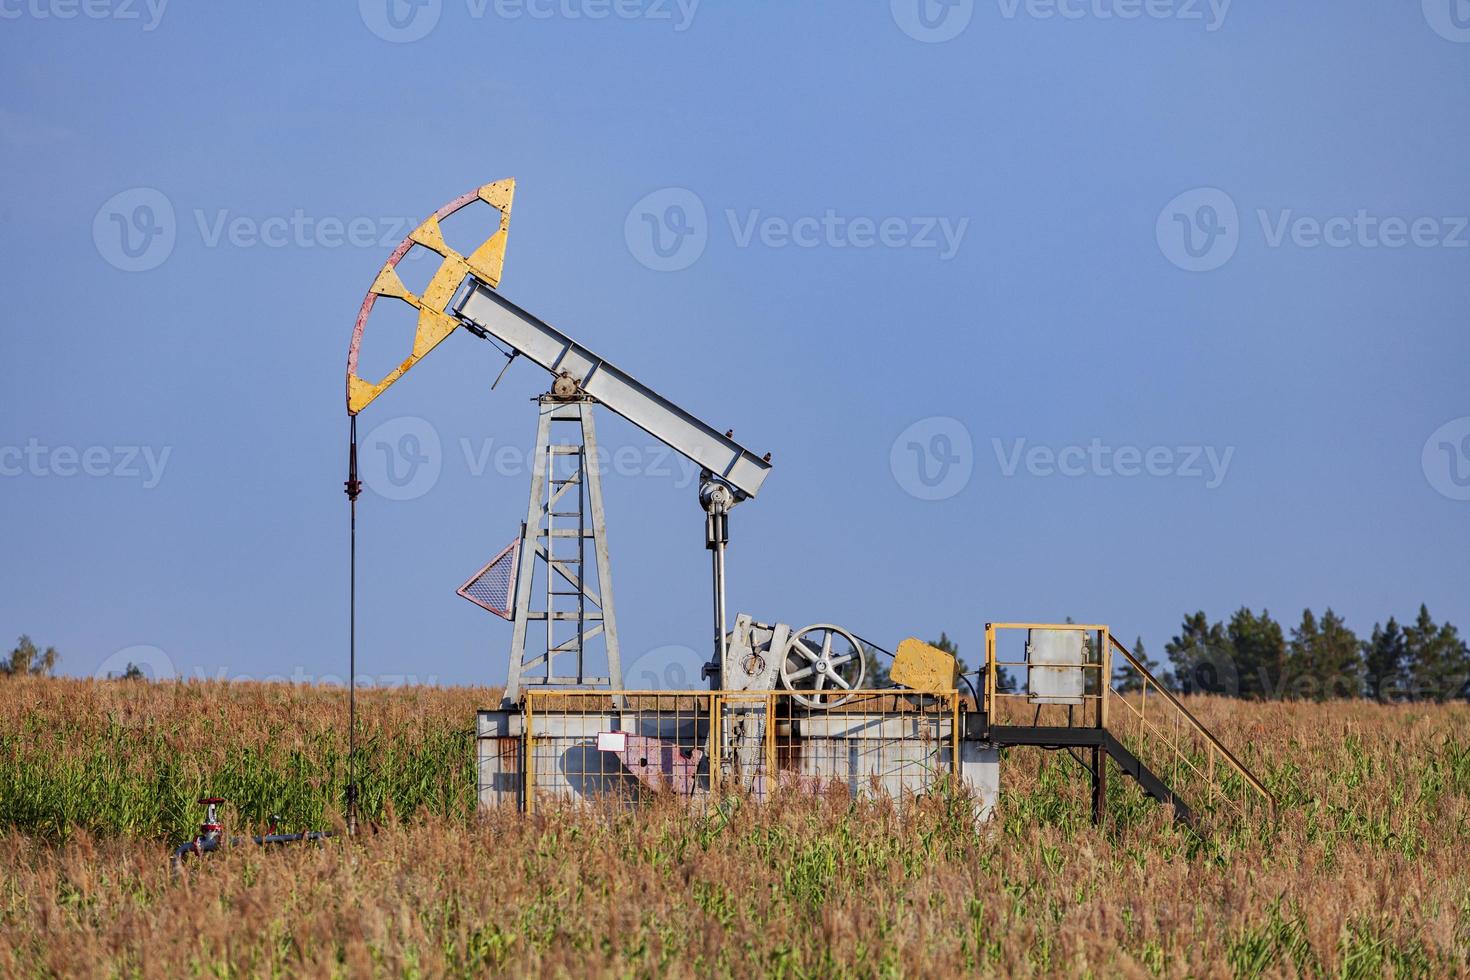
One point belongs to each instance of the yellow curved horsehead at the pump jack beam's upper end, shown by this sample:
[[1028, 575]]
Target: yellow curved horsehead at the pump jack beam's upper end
[[486, 264]]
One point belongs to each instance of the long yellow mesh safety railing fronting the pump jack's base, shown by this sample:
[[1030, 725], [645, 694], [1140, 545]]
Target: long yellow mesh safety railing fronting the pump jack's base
[[700, 744]]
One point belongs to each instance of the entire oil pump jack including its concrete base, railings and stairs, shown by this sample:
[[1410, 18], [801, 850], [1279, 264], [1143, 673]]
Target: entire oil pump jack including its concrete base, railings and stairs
[[786, 706]]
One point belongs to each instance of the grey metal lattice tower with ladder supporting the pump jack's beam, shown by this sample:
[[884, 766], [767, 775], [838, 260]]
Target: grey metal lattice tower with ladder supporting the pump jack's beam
[[565, 530]]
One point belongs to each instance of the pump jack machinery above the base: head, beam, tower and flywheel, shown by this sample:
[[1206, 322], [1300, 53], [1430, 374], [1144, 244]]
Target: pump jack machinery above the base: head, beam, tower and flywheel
[[565, 516]]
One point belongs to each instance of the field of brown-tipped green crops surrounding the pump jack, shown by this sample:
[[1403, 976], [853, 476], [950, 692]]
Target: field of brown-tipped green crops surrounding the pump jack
[[1365, 875]]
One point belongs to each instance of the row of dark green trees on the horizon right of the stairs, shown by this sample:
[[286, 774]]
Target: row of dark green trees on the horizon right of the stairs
[[1253, 656]]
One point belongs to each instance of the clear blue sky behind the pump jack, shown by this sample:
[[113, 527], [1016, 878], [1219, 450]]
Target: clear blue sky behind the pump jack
[[1108, 309]]
